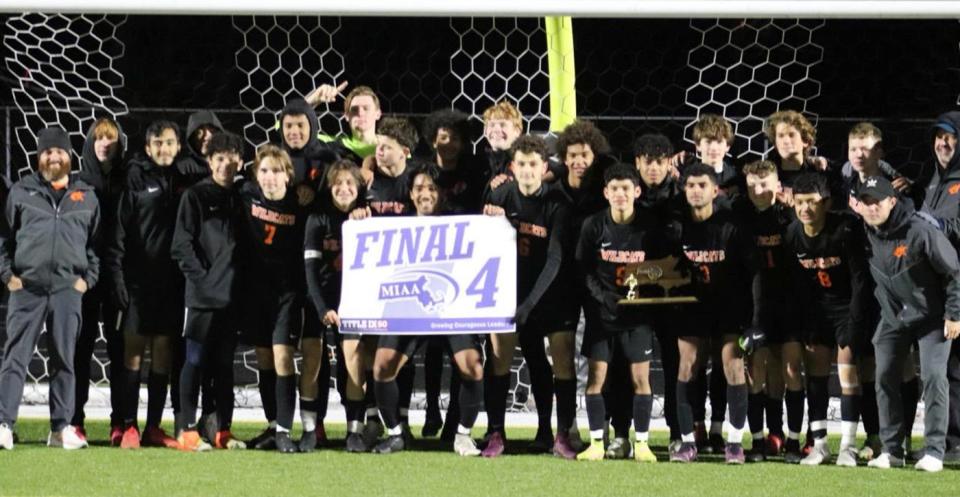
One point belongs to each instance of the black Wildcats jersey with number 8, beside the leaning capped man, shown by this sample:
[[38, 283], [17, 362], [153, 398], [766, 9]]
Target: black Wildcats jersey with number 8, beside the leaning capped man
[[832, 278]]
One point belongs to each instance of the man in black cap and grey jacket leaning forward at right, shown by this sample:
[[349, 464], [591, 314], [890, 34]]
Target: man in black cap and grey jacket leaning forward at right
[[910, 253]]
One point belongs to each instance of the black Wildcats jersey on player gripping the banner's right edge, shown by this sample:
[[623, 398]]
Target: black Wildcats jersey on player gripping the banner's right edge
[[540, 220]]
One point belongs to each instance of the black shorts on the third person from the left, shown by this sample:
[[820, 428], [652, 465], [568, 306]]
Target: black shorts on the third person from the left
[[152, 313]]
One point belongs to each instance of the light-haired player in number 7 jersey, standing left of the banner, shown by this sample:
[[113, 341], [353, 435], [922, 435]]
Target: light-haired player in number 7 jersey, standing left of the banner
[[272, 237]]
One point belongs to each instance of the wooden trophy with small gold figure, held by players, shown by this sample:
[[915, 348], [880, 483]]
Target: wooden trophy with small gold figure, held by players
[[657, 282]]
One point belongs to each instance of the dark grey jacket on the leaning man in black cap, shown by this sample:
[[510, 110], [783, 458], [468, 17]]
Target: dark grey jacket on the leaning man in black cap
[[916, 272]]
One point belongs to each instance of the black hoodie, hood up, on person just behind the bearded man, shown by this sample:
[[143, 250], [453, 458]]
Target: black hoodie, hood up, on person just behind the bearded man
[[108, 185]]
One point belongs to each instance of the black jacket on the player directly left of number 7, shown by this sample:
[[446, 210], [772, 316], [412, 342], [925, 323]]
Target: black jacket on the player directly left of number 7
[[205, 244]]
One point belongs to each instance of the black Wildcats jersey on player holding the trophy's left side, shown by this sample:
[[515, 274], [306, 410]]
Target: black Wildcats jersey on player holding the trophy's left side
[[604, 251]]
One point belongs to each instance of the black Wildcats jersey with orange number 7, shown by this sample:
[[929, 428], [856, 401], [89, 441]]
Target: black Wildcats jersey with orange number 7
[[272, 237]]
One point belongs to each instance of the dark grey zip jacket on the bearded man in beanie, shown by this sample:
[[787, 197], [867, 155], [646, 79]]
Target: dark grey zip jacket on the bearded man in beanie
[[49, 244]]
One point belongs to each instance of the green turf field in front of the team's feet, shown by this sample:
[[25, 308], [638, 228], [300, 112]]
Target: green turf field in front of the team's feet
[[33, 469]]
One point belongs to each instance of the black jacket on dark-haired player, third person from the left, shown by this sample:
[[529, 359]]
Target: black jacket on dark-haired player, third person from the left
[[138, 252]]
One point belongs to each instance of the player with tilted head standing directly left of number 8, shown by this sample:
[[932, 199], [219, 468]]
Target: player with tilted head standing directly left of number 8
[[765, 218]]
